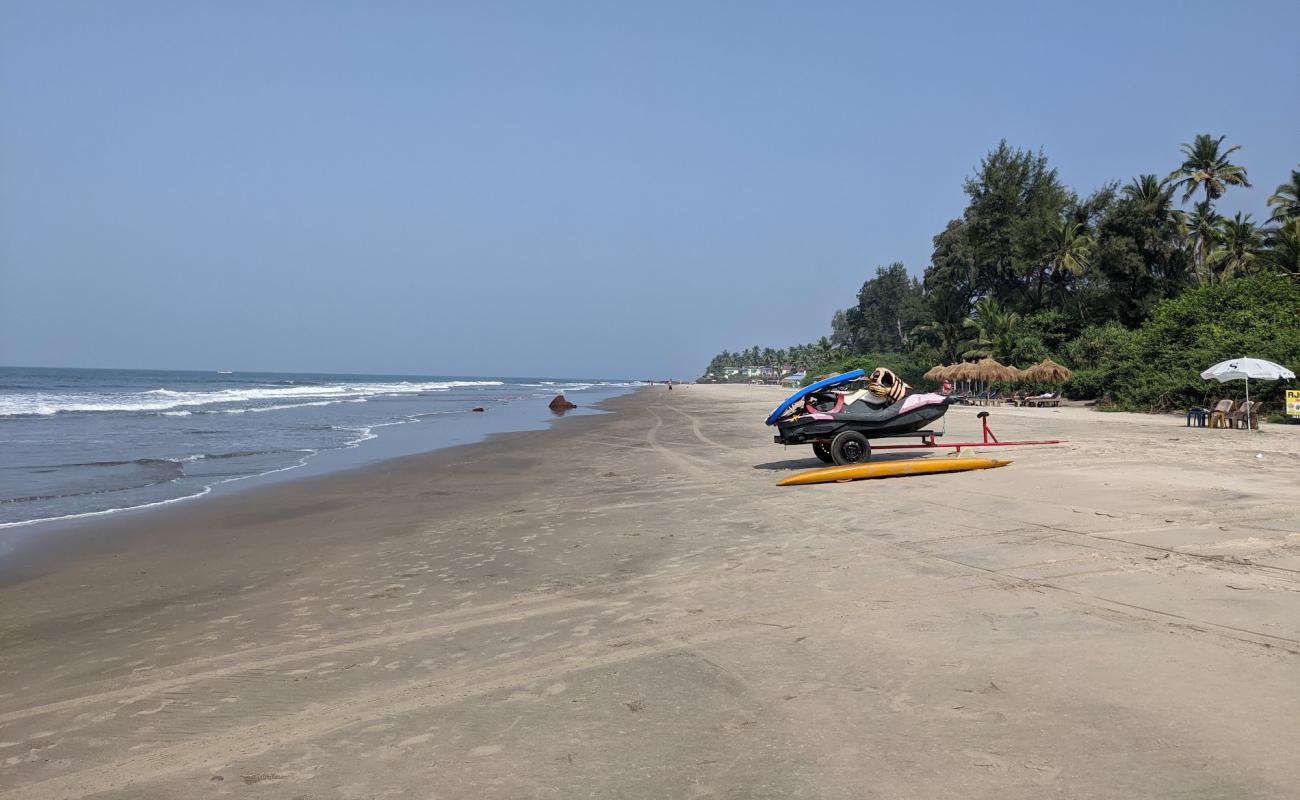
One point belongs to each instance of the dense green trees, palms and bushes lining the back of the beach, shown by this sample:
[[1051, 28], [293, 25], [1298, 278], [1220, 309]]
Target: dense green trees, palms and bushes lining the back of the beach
[[1034, 270]]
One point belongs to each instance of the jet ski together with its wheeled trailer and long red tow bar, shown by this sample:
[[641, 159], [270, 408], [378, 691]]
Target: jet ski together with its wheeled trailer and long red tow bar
[[842, 433]]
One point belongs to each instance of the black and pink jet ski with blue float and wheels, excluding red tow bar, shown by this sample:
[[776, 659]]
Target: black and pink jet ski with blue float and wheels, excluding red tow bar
[[838, 422]]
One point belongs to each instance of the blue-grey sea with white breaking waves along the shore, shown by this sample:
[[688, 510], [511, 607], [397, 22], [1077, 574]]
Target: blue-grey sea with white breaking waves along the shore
[[79, 443]]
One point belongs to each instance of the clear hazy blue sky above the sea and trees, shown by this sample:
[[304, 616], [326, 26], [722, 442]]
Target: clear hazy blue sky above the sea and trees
[[557, 189]]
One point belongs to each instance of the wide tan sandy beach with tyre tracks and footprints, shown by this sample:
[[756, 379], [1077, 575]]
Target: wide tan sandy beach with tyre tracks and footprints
[[627, 607]]
